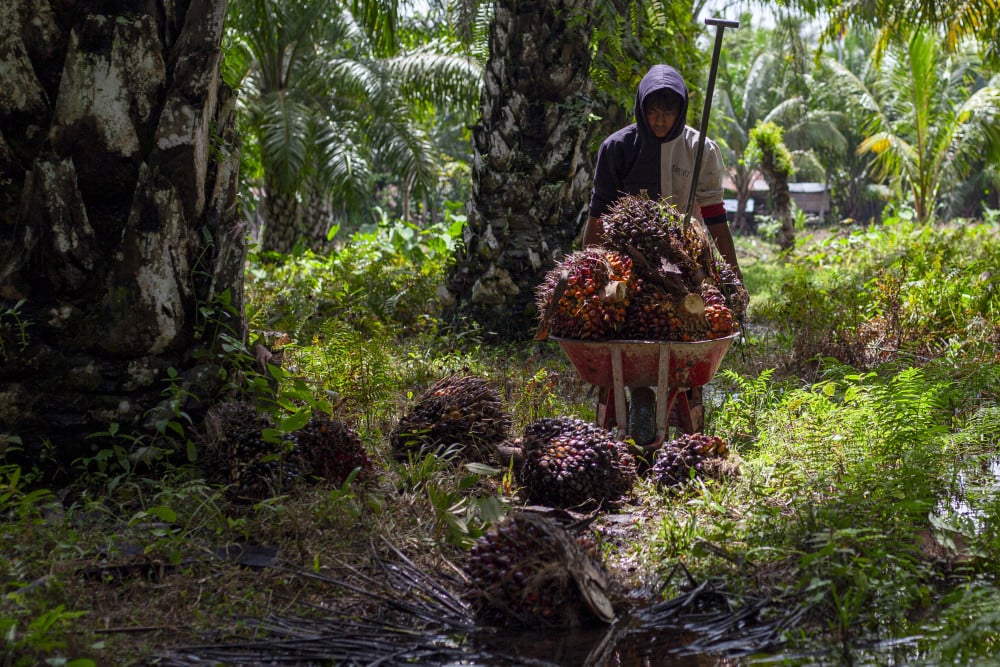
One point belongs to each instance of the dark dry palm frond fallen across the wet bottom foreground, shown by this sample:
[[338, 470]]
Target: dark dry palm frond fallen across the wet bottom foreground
[[394, 612]]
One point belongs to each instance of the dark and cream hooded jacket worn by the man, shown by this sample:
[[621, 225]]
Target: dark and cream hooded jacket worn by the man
[[634, 161]]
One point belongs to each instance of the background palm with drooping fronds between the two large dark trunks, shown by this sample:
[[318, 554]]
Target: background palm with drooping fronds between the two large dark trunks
[[332, 102]]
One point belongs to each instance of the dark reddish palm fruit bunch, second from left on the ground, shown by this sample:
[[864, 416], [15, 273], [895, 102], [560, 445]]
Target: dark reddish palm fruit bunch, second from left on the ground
[[331, 449]]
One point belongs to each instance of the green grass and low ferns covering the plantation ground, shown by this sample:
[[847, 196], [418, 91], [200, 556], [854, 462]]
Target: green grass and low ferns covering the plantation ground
[[862, 406]]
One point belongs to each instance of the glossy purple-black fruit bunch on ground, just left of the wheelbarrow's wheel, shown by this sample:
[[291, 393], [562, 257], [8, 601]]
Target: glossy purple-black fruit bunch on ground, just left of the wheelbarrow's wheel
[[567, 462]]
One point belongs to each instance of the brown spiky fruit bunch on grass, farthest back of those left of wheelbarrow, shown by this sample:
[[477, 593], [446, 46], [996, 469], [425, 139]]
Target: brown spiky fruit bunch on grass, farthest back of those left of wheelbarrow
[[462, 410]]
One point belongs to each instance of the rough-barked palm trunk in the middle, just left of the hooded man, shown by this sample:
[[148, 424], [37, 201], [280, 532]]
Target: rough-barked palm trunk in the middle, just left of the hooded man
[[532, 166]]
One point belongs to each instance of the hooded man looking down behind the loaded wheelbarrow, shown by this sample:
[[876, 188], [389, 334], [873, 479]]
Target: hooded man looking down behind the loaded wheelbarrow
[[655, 157]]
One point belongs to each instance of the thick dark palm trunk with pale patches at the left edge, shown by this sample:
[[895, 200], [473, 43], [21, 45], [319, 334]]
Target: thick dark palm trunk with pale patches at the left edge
[[121, 254]]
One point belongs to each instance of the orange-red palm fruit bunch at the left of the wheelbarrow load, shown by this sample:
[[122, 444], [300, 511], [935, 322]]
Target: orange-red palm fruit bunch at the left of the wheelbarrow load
[[586, 294]]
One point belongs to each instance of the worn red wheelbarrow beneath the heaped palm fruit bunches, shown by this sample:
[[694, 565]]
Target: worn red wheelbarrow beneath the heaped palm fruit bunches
[[672, 367]]
